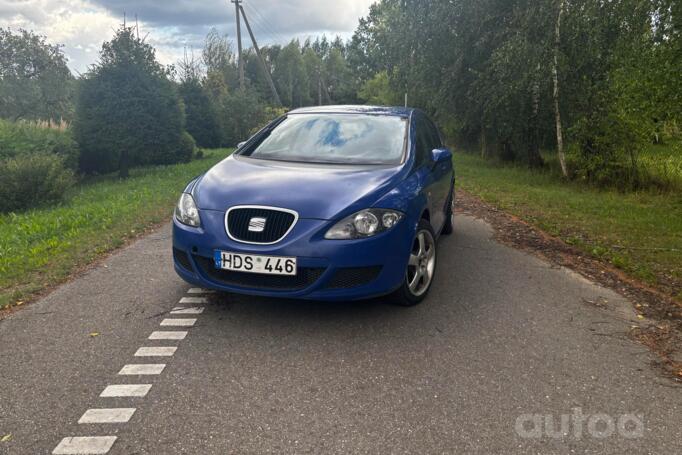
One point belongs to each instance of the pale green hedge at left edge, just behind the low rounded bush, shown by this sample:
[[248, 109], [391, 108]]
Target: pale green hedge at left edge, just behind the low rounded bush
[[26, 138]]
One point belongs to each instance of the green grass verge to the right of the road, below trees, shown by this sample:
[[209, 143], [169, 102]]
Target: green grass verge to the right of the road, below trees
[[640, 233]]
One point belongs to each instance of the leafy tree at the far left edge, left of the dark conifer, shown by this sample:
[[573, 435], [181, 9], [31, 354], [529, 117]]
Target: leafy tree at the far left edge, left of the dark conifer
[[35, 83]]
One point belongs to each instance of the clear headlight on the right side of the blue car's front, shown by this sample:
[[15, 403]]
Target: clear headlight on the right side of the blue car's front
[[366, 223]]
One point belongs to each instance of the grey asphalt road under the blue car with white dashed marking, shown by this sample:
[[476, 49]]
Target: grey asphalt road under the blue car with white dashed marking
[[503, 348]]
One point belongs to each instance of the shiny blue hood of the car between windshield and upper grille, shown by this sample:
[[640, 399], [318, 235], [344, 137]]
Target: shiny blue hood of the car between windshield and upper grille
[[314, 191]]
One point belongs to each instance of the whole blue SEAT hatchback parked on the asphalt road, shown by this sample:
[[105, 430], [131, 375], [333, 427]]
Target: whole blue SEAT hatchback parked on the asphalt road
[[326, 203]]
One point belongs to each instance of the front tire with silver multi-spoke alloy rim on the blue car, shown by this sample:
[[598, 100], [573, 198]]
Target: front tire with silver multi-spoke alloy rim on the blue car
[[423, 261]]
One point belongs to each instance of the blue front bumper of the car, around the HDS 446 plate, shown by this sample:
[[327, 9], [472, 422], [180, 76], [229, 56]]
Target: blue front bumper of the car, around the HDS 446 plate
[[328, 269]]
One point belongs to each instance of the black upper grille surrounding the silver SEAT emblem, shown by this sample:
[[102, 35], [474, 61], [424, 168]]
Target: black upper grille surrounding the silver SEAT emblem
[[277, 224]]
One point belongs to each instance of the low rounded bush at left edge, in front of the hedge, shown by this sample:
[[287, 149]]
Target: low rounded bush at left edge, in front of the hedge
[[34, 179]]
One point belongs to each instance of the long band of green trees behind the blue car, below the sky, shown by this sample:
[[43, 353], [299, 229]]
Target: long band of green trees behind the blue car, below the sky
[[584, 85]]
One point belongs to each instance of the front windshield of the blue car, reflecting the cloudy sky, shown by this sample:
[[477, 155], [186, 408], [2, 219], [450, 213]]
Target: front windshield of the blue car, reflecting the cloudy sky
[[335, 139]]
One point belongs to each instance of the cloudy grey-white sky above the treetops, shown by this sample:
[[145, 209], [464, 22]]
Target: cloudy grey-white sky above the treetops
[[172, 26]]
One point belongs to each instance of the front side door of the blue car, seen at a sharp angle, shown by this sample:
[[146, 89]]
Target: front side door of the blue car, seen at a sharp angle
[[424, 167]]
